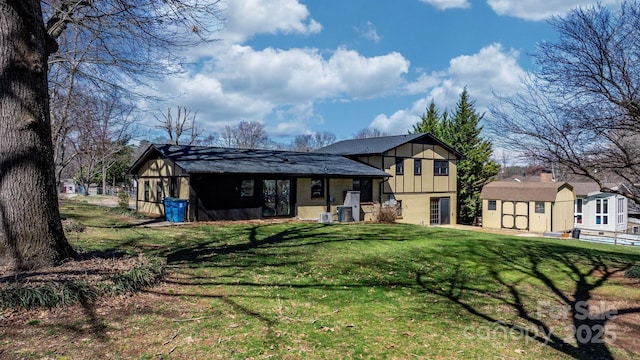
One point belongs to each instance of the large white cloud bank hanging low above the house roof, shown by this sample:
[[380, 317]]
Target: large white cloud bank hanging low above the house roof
[[242, 83]]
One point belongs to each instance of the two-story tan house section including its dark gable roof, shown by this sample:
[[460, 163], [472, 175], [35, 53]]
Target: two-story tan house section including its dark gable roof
[[422, 172]]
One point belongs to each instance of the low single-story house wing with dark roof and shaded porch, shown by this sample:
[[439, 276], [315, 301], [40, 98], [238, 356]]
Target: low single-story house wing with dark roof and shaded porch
[[222, 183]]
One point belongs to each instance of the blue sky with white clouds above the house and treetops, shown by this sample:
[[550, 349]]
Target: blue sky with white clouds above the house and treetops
[[343, 65]]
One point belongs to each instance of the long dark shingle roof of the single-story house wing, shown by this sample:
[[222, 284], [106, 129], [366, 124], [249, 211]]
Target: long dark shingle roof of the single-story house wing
[[212, 160]]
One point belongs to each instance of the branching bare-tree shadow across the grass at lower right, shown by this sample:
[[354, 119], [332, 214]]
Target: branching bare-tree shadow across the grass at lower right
[[564, 300]]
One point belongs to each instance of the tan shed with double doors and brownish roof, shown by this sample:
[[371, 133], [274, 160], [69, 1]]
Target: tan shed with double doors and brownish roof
[[544, 206]]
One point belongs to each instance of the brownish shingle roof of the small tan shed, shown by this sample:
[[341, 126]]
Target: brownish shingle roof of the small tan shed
[[523, 191]]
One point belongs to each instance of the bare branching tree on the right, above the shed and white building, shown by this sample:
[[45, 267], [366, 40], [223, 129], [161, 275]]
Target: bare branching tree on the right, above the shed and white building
[[581, 111]]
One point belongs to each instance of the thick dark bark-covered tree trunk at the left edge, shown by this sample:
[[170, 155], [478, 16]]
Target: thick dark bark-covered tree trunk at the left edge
[[31, 232]]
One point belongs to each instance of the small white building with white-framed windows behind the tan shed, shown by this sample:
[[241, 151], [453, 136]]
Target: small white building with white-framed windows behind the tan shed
[[595, 210]]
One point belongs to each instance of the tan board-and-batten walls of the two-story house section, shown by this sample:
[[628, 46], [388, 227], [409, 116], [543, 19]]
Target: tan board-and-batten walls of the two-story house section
[[416, 191]]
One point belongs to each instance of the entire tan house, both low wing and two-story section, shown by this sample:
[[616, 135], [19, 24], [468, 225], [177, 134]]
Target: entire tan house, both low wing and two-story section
[[185, 172]]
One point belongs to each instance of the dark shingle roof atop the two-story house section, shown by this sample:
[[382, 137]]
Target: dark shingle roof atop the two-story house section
[[380, 145]]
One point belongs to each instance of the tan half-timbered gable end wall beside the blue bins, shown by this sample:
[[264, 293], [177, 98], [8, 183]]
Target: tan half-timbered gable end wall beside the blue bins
[[157, 172]]
